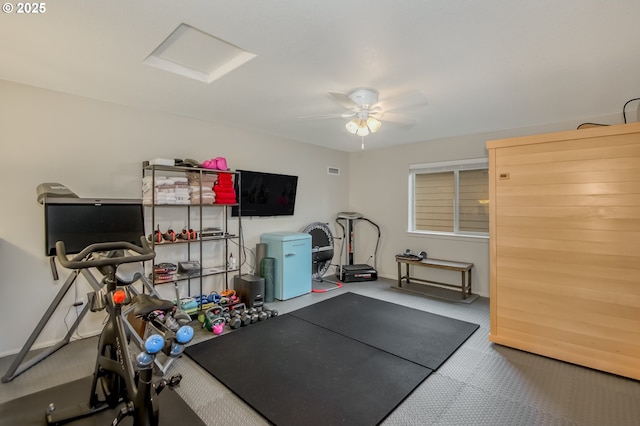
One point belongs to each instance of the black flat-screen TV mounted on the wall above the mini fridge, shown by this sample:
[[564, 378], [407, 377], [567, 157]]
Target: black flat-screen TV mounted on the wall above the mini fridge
[[265, 194]]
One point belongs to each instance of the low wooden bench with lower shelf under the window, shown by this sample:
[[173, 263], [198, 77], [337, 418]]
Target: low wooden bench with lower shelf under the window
[[463, 267]]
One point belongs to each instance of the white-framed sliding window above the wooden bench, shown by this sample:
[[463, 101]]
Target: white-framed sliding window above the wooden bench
[[449, 197]]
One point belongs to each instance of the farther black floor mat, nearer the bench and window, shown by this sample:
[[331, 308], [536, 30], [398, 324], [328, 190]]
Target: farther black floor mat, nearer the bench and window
[[418, 336]]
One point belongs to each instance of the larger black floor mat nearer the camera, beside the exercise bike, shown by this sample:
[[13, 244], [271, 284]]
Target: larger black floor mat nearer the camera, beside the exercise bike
[[296, 373]]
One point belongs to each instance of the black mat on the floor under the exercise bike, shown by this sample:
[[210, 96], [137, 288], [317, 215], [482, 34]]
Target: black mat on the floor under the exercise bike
[[30, 410]]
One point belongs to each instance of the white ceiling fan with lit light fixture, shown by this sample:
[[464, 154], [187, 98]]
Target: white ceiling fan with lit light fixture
[[366, 112]]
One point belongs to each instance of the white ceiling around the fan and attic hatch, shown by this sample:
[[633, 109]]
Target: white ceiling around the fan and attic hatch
[[482, 65]]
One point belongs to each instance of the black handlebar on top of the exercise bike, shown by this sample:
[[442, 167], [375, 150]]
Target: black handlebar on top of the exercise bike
[[79, 260]]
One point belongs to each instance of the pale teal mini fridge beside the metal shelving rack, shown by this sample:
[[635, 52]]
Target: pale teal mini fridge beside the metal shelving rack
[[292, 254]]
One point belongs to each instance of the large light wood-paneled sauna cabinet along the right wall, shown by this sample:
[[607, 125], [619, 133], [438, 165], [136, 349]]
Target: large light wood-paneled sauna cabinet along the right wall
[[565, 246]]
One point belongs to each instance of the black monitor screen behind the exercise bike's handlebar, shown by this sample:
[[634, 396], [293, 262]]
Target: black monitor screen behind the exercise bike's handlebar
[[80, 222]]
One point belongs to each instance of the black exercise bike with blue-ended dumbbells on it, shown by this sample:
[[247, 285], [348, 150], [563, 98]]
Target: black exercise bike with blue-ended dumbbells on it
[[119, 378]]
